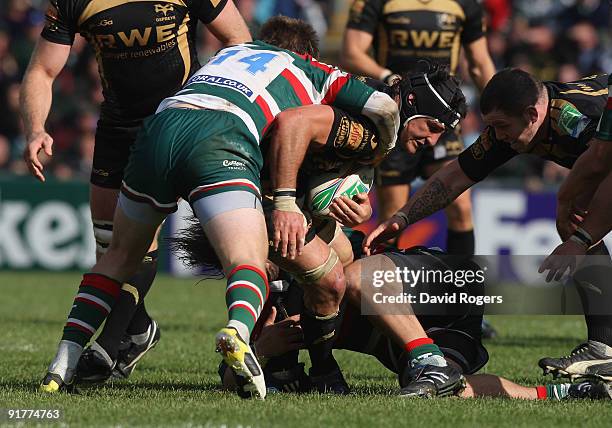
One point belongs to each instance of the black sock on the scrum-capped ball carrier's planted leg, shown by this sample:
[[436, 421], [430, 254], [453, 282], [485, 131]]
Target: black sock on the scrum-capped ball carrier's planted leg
[[319, 338]]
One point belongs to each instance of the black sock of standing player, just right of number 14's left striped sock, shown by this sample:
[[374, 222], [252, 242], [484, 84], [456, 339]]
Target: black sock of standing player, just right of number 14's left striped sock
[[124, 310]]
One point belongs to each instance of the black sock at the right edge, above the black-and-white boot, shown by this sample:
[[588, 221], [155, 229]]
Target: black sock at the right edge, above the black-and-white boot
[[596, 293]]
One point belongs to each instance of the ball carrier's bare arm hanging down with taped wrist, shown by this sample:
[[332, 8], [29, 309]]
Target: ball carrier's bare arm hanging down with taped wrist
[[295, 131]]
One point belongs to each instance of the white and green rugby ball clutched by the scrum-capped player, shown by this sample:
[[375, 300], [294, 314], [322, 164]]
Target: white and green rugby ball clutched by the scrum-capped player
[[324, 187]]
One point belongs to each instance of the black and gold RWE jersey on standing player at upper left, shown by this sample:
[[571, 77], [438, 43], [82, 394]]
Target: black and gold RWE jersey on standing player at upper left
[[145, 48]]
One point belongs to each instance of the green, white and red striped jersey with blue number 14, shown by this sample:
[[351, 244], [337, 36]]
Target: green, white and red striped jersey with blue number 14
[[256, 81]]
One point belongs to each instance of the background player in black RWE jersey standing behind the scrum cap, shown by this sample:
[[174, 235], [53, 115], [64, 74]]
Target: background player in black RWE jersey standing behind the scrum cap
[[403, 33]]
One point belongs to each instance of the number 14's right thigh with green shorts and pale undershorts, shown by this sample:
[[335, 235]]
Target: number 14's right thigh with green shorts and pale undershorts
[[220, 182]]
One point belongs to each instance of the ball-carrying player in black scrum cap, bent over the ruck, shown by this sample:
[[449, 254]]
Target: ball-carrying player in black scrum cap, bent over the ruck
[[335, 138]]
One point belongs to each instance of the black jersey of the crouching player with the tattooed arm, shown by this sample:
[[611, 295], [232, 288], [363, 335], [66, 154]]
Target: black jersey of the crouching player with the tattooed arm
[[573, 112]]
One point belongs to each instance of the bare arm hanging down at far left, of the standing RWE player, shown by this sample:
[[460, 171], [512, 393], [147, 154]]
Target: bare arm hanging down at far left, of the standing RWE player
[[46, 62]]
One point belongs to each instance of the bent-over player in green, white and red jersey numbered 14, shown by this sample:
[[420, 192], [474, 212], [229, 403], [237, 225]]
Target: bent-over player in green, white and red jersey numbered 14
[[203, 145]]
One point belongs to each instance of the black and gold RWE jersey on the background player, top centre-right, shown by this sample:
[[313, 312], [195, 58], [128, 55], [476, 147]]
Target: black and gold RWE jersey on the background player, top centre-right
[[406, 31]]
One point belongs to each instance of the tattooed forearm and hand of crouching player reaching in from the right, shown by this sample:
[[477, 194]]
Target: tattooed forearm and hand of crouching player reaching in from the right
[[437, 193]]
